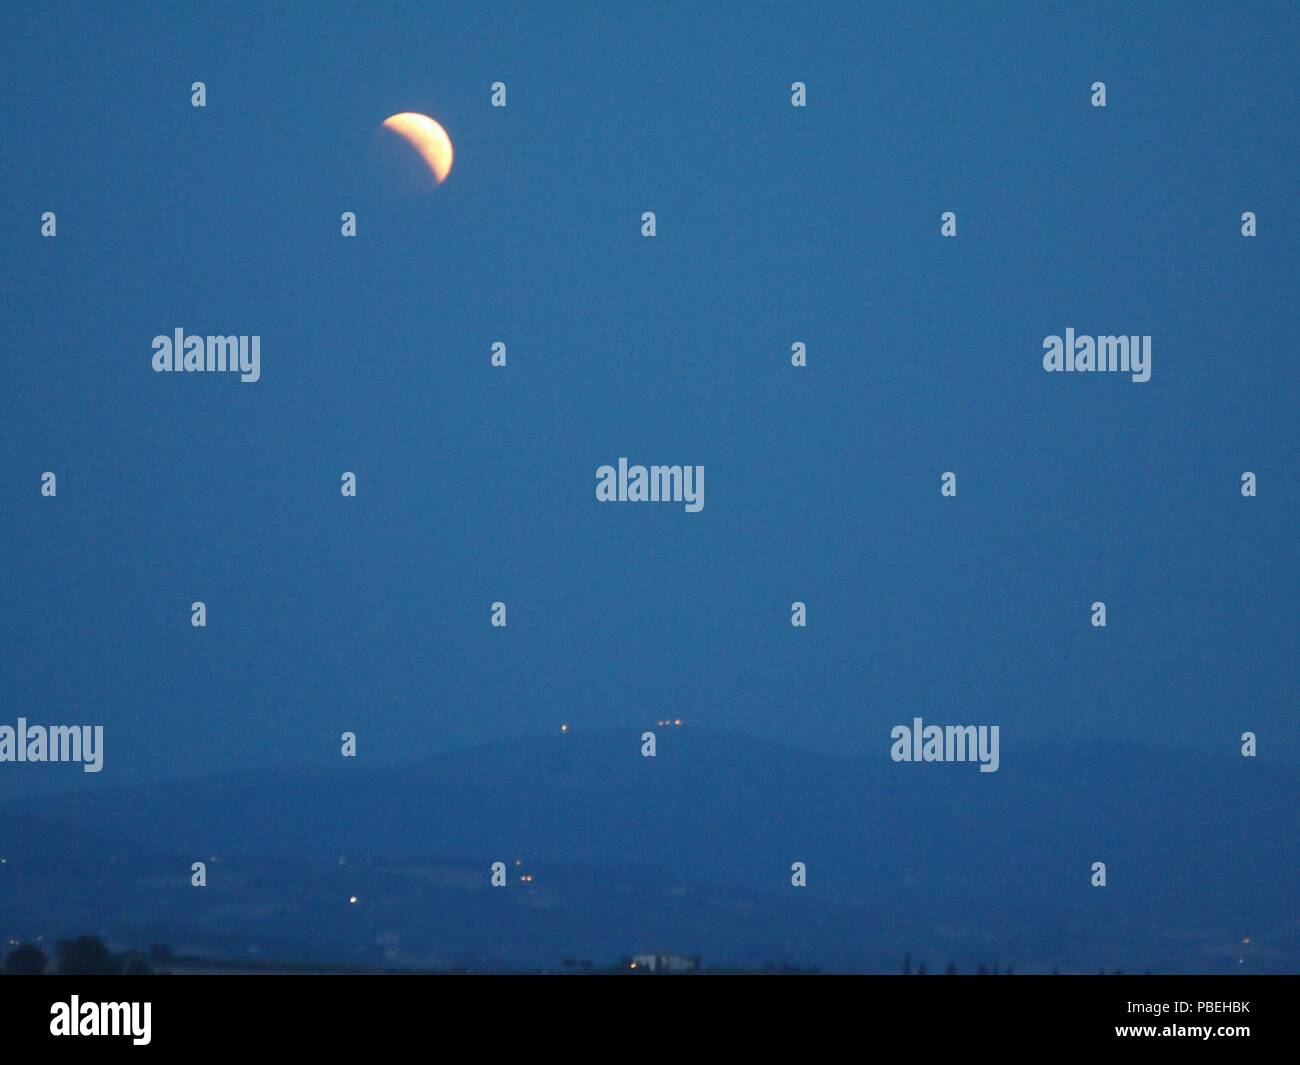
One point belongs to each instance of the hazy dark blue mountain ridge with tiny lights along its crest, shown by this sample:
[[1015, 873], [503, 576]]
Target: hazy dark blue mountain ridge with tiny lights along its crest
[[1190, 842]]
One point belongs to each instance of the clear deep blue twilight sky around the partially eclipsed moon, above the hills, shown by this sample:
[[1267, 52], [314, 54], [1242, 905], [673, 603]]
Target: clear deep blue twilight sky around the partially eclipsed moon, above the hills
[[774, 226]]
